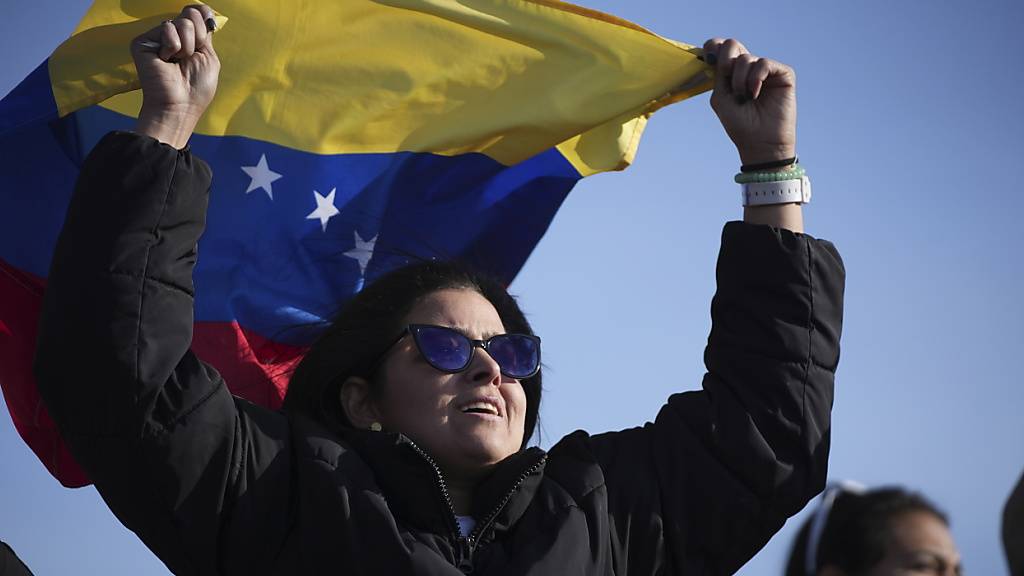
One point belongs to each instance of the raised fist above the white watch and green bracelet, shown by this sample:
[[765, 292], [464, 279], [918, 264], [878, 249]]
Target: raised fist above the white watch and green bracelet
[[756, 101]]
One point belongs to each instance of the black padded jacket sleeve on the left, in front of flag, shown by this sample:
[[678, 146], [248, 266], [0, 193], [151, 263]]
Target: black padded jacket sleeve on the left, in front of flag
[[177, 458]]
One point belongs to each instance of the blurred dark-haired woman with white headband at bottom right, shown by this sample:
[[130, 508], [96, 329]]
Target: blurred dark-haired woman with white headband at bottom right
[[883, 532]]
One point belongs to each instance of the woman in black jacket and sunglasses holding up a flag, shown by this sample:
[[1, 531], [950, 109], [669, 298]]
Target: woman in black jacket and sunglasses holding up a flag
[[401, 449]]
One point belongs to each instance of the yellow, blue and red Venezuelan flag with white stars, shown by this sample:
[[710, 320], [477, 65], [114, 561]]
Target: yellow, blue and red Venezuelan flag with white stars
[[347, 138]]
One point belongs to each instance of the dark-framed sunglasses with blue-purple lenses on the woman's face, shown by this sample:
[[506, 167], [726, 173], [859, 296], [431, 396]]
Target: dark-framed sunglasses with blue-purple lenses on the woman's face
[[519, 356]]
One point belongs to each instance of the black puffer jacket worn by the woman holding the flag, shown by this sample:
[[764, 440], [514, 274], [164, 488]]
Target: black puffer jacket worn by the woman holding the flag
[[217, 485]]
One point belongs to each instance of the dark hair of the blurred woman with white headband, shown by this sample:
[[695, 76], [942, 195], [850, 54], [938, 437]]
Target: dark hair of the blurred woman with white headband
[[858, 531]]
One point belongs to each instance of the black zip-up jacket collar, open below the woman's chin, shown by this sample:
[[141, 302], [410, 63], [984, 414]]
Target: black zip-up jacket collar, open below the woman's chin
[[416, 492]]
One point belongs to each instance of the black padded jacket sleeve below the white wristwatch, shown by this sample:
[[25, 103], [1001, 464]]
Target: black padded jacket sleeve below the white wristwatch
[[720, 471]]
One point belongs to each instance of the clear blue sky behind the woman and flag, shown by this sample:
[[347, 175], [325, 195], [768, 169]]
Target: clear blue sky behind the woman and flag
[[911, 128]]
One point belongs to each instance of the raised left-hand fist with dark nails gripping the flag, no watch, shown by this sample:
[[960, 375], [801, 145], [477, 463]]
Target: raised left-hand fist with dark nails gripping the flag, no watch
[[180, 78]]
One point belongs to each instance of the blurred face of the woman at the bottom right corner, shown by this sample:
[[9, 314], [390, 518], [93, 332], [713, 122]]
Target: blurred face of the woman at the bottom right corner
[[921, 545]]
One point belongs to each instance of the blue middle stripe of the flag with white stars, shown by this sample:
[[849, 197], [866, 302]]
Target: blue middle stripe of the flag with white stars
[[275, 259]]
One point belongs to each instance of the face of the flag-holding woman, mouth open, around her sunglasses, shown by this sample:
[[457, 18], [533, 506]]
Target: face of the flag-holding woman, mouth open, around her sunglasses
[[431, 406]]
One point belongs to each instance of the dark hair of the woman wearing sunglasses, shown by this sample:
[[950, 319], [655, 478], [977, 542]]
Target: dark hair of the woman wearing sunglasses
[[369, 323]]
